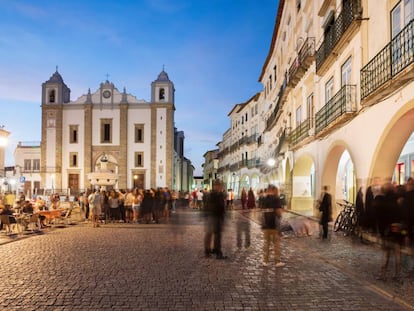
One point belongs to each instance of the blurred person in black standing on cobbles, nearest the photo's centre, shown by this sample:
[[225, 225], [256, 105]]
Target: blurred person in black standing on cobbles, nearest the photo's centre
[[216, 204]]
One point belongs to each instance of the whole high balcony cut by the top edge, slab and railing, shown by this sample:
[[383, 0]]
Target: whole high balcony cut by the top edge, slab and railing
[[339, 34]]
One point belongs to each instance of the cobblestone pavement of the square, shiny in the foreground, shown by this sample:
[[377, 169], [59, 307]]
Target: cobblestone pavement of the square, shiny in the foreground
[[162, 267]]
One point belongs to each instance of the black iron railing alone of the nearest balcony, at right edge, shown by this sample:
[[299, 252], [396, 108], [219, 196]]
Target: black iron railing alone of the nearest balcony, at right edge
[[390, 61]]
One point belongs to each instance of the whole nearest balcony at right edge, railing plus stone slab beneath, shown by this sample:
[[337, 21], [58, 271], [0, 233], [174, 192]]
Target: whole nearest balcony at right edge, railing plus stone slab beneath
[[390, 68]]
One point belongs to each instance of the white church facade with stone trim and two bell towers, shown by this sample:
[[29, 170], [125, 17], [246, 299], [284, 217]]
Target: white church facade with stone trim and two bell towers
[[134, 135]]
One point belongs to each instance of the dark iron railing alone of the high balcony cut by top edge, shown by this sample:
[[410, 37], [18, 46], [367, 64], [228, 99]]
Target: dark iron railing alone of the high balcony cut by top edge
[[350, 11]]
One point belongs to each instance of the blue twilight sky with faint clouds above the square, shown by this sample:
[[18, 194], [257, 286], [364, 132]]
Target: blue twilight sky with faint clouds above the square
[[212, 50]]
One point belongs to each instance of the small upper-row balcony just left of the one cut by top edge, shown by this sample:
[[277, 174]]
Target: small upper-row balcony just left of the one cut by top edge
[[302, 62]]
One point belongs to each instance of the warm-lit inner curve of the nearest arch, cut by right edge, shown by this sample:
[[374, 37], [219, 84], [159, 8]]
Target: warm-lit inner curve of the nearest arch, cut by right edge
[[391, 142]]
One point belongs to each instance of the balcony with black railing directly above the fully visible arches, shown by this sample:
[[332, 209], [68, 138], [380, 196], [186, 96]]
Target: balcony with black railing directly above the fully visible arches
[[337, 110]]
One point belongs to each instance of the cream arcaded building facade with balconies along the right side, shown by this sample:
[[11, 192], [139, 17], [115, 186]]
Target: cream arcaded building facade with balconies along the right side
[[337, 100]]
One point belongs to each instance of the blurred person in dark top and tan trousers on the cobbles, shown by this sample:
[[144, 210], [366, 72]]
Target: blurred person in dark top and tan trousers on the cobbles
[[271, 225]]
